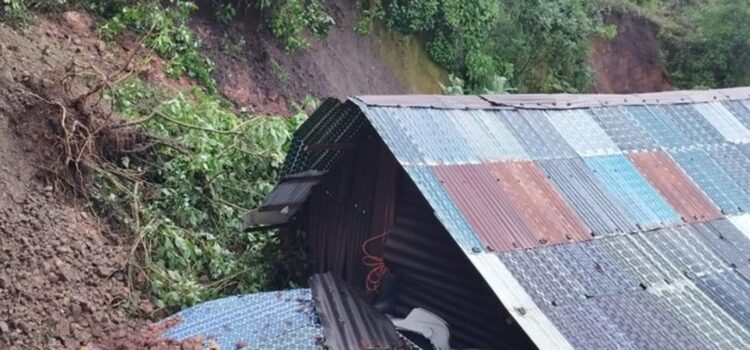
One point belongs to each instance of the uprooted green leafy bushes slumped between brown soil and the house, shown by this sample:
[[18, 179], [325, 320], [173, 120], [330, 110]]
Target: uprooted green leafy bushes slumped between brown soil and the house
[[184, 199]]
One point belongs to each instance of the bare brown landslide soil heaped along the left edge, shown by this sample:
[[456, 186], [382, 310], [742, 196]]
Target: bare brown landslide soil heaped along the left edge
[[62, 280]]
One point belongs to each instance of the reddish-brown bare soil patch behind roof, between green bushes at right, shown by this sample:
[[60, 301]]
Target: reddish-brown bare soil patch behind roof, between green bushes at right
[[630, 62]]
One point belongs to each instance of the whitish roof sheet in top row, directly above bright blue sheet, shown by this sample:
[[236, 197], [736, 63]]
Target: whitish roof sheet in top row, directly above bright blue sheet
[[582, 133]]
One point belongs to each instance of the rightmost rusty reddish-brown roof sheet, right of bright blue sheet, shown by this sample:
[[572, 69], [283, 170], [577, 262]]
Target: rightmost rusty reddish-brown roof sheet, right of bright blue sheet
[[681, 192]]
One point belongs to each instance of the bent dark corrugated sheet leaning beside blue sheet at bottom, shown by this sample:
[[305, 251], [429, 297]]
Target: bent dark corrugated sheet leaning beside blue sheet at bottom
[[350, 322]]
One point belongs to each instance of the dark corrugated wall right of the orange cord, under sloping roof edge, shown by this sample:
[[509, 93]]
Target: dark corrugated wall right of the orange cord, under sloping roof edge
[[434, 274]]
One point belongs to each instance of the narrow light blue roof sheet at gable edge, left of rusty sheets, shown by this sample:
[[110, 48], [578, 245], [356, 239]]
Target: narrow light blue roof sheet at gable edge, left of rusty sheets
[[445, 209]]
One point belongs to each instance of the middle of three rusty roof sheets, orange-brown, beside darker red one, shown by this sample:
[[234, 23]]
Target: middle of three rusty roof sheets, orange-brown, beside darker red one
[[539, 202]]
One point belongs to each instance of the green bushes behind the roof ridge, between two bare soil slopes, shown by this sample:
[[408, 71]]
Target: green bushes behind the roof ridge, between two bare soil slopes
[[537, 45]]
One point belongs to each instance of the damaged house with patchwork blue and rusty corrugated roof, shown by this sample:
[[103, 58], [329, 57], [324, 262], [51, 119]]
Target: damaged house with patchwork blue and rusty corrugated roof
[[523, 221]]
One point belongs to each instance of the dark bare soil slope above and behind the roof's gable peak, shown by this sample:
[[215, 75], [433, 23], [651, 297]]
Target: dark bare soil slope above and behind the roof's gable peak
[[255, 72]]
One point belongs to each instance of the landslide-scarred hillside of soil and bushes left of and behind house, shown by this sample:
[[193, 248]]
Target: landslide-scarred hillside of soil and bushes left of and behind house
[[133, 136]]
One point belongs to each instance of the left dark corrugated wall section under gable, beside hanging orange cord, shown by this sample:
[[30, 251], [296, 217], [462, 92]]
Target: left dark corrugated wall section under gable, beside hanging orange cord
[[345, 209]]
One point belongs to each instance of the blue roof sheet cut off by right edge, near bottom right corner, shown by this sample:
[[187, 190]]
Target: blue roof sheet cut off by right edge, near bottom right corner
[[731, 292]]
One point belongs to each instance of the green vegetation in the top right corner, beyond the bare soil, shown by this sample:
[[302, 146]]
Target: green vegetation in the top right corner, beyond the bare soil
[[704, 42]]
